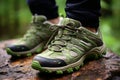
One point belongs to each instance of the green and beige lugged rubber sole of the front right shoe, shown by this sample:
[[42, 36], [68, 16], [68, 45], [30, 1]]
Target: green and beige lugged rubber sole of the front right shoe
[[69, 68]]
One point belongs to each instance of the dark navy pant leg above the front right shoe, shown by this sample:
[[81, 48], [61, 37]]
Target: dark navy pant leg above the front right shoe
[[86, 11]]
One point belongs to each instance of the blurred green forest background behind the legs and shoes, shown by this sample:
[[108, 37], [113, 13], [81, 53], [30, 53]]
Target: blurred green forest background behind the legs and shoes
[[15, 17]]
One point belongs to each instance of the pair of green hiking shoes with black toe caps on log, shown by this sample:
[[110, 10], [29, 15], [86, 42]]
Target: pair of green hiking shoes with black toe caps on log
[[63, 47]]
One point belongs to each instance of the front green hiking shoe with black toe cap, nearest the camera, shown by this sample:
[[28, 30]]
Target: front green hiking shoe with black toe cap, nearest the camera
[[69, 49]]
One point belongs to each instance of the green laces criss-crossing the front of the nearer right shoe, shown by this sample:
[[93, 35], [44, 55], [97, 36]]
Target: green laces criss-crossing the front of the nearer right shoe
[[61, 39]]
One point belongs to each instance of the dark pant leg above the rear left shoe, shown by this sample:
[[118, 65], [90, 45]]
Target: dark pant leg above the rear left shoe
[[47, 8]]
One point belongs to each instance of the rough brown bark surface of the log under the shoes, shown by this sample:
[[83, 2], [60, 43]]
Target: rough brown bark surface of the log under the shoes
[[106, 68]]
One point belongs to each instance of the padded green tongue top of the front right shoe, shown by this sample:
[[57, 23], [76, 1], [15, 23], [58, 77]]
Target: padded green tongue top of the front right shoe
[[71, 23]]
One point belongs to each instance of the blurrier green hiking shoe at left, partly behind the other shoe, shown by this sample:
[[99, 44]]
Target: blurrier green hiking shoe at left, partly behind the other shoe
[[35, 39]]
